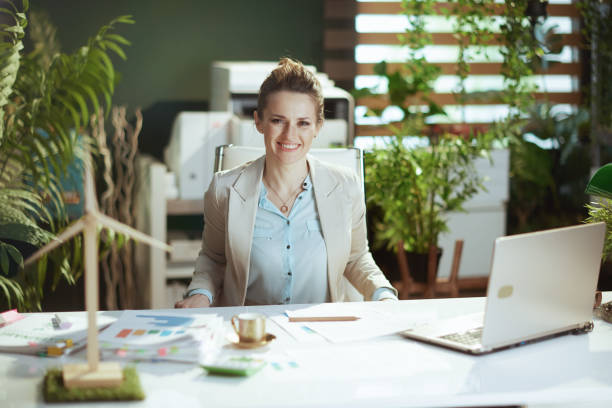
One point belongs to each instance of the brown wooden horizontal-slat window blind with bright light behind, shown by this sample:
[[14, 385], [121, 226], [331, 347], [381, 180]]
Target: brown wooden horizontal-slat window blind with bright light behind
[[373, 37]]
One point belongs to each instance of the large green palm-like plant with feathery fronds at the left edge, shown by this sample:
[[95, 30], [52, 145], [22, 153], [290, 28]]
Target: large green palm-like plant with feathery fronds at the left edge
[[46, 100]]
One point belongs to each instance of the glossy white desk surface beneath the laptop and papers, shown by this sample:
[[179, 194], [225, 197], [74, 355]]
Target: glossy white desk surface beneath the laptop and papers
[[388, 371]]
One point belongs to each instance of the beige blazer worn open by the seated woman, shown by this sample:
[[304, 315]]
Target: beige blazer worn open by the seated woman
[[230, 205]]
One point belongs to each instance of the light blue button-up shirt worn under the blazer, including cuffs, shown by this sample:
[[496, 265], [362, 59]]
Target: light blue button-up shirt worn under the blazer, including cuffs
[[288, 254]]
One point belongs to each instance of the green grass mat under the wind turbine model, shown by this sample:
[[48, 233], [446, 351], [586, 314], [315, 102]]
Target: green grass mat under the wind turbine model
[[129, 390]]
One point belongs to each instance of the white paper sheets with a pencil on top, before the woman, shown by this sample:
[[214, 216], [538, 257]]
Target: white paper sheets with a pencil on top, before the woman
[[347, 322]]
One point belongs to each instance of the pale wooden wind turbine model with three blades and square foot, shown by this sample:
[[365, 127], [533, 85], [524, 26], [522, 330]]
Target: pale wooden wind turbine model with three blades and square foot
[[94, 373]]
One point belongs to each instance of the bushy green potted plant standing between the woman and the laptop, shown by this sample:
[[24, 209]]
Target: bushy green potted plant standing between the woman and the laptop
[[413, 188]]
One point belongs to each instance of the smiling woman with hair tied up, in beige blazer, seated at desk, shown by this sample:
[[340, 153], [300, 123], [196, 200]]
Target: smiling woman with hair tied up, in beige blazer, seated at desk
[[296, 243]]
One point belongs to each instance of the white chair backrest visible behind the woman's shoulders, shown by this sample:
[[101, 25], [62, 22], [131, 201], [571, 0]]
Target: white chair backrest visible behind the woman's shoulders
[[230, 156]]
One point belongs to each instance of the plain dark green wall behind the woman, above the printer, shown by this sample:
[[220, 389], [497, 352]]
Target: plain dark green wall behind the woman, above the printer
[[175, 41]]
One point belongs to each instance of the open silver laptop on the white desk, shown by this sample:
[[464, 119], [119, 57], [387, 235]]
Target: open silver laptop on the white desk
[[542, 284]]
